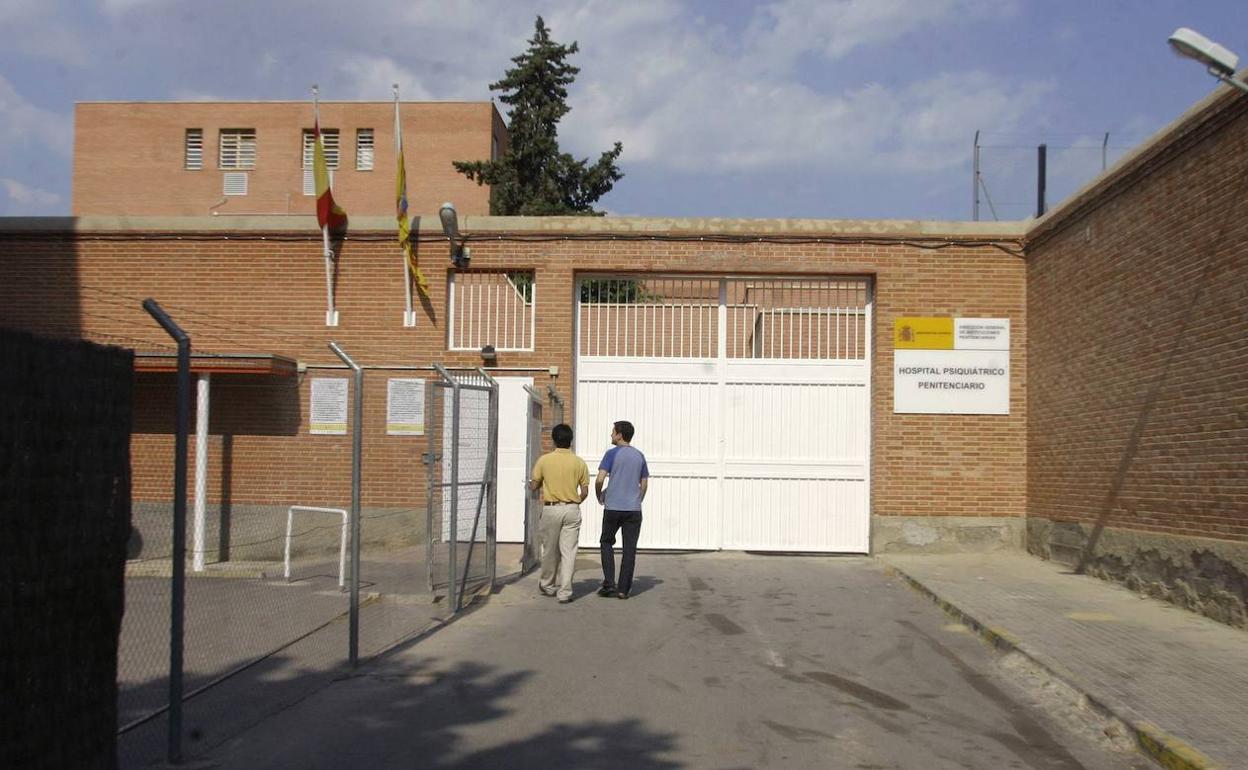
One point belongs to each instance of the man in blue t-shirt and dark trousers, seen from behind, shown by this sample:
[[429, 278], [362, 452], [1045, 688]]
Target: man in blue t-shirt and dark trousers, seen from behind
[[622, 507]]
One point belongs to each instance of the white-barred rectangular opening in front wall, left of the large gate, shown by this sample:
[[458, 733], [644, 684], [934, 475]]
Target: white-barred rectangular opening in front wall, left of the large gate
[[497, 309]]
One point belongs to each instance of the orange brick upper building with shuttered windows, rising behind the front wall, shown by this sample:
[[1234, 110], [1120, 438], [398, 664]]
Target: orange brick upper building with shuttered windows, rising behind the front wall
[[197, 159]]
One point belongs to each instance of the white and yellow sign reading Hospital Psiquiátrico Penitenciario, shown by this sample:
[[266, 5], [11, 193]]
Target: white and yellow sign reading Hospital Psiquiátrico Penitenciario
[[952, 366]]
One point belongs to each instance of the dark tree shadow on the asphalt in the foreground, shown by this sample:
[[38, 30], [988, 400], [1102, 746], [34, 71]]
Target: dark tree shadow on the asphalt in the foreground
[[411, 713]]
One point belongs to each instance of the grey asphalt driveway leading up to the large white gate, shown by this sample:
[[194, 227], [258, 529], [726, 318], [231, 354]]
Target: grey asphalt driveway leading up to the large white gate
[[718, 661]]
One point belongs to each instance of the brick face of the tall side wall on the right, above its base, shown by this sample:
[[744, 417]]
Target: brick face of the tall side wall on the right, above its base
[[1138, 358]]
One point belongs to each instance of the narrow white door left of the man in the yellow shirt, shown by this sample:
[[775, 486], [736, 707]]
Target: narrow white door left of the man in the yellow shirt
[[514, 426]]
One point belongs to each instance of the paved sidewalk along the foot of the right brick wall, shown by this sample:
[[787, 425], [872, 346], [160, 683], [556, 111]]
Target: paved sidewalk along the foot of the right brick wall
[[1177, 681]]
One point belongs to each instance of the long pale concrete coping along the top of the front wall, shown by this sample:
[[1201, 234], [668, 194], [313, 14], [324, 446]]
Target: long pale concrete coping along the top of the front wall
[[430, 225]]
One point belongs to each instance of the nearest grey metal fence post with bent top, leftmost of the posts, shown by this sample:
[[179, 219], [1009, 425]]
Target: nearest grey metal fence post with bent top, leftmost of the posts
[[178, 591]]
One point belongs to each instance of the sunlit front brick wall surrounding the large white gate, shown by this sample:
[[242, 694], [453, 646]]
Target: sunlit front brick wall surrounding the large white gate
[[264, 291]]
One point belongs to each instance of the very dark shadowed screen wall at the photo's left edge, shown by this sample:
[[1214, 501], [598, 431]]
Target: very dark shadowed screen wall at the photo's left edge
[[66, 517]]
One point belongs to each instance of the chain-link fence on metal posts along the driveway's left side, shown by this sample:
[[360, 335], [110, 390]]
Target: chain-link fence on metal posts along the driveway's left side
[[285, 505]]
